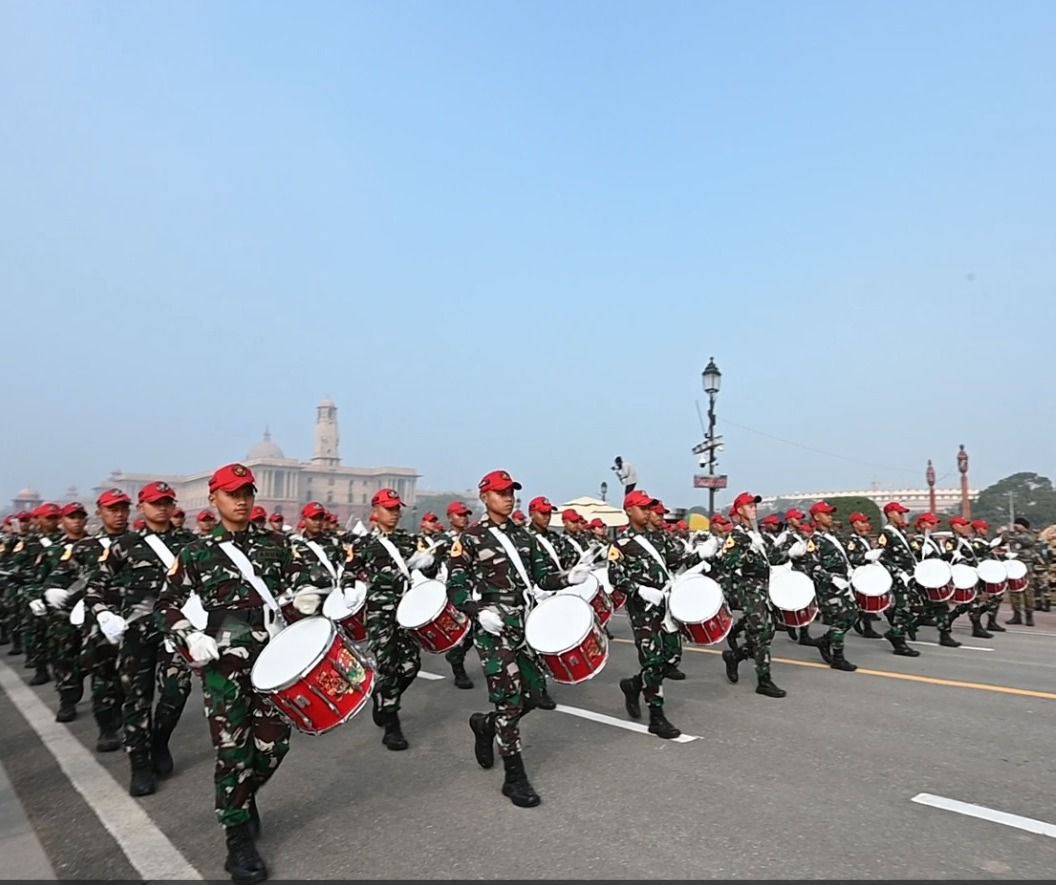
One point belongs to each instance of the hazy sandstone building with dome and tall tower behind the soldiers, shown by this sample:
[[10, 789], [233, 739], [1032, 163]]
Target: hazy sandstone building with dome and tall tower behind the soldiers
[[286, 485]]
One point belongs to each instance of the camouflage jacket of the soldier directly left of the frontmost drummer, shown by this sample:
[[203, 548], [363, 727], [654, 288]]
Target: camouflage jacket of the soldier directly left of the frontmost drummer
[[129, 576]]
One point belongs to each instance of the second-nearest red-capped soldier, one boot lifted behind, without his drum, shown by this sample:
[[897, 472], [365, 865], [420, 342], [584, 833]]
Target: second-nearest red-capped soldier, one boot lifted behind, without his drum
[[495, 570]]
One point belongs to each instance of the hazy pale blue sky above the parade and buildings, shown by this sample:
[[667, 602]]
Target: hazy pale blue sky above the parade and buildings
[[513, 235]]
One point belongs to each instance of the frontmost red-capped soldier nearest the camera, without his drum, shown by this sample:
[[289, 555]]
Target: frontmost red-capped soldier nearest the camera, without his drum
[[239, 574]]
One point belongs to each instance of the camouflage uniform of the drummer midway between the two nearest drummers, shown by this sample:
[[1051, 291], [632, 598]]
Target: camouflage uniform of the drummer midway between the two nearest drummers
[[395, 651]]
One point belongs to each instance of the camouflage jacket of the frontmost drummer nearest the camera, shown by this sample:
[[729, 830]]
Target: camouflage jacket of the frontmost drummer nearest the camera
[[204, 569]]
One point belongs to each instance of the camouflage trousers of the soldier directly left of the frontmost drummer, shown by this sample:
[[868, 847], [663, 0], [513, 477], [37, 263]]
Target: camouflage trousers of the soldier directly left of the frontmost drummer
[[143, 664]]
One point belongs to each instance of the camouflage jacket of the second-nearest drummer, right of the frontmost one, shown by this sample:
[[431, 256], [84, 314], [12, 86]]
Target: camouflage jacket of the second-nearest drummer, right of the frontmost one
[[480, 567]]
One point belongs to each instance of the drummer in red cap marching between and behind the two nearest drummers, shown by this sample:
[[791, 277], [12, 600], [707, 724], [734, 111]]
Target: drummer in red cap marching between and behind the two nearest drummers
[[384, 561]]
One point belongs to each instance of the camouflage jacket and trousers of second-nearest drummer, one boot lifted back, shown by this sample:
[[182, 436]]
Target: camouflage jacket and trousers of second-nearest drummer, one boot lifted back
[[482, 576]]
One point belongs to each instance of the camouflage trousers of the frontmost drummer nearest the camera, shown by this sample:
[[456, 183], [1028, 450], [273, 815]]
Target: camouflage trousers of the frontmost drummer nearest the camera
[[250, 736]]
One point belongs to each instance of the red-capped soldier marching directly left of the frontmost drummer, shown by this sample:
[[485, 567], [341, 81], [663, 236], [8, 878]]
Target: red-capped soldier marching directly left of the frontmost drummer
[[127, 582]]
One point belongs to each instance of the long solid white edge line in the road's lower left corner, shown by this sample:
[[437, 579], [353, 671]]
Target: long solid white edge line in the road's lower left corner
[[147, 849]]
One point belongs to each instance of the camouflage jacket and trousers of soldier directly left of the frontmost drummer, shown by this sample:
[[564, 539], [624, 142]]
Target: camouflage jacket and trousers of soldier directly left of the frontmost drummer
[[127, 581]]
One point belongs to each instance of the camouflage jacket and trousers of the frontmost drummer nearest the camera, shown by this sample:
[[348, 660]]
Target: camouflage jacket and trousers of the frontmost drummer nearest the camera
[[250, 736]]
